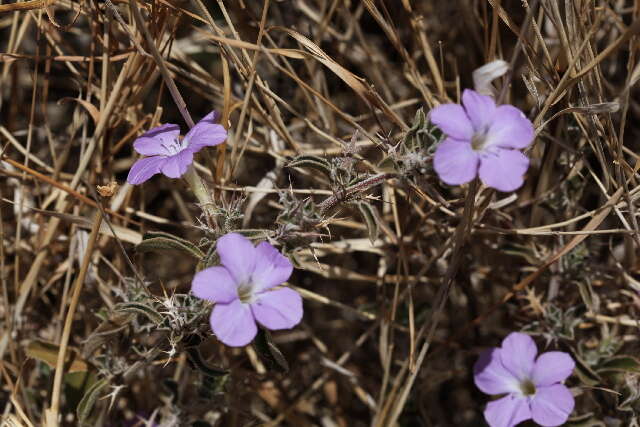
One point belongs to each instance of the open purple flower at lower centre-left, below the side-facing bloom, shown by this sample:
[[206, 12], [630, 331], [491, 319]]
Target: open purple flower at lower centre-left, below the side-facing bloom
[[242, 290]]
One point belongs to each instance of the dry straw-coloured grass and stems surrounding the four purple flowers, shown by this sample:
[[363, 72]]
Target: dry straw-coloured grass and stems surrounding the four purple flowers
[[405, 279]]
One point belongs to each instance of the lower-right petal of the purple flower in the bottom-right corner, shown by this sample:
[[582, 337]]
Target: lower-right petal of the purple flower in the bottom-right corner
[[551, 406]]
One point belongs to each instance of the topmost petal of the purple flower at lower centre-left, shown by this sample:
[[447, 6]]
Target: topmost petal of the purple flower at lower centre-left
[[238, 255]]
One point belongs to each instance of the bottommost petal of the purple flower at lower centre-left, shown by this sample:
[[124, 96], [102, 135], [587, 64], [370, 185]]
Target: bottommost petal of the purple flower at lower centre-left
[[233, 323]]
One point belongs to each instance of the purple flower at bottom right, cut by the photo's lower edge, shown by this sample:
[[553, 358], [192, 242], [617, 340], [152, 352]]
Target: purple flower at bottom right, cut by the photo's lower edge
[[532, 386]]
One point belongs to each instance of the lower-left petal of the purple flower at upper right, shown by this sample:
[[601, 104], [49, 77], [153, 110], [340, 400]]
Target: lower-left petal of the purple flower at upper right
[[455, 162]]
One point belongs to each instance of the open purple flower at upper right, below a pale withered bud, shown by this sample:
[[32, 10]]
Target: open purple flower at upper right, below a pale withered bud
[[484, 139]]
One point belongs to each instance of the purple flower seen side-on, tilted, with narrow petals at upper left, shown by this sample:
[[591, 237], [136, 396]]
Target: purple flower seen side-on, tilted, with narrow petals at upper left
[[168, 153]]
